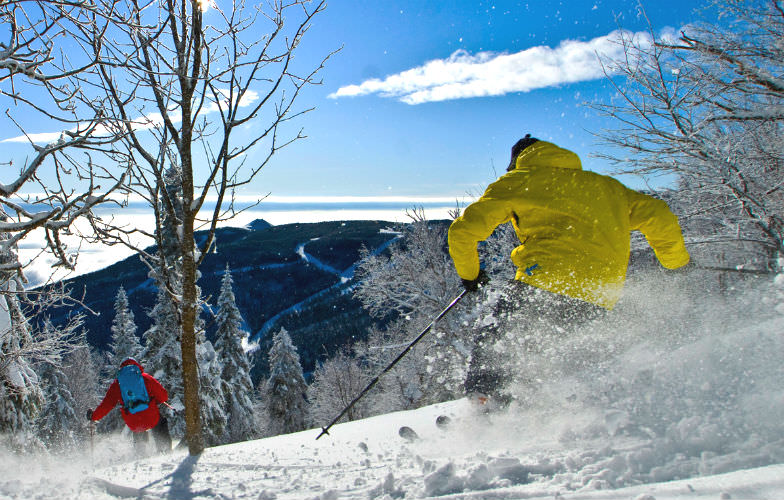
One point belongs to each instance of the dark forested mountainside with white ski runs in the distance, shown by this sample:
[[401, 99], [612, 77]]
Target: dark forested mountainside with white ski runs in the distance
[[296, 276]]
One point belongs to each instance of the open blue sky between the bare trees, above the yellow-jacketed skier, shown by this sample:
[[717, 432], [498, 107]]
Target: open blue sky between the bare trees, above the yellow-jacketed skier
[[377, 143]]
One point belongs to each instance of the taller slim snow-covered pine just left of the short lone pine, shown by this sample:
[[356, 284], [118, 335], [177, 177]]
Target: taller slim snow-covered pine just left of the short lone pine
[[237, 384]]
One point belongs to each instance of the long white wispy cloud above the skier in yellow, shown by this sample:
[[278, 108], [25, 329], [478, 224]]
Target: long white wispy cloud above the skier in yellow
[[463, 75]]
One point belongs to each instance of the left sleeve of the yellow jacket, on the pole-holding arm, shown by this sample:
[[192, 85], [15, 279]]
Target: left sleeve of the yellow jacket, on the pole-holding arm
[[476, 224]]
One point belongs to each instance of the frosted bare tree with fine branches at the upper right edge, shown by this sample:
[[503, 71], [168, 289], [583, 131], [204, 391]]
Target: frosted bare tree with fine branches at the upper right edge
[[705, 107]]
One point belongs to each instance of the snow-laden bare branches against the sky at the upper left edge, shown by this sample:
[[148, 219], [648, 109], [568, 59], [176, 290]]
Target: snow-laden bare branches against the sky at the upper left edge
[[37, 79]]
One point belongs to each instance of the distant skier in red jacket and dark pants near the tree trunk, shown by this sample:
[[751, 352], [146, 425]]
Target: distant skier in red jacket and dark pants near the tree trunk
[[141, 421]]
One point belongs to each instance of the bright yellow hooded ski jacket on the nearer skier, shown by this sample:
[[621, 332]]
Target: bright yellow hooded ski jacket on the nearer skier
[[574, 226]]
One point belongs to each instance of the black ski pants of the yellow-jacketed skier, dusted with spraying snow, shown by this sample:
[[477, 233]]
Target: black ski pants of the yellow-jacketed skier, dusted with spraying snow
[[528, 313]]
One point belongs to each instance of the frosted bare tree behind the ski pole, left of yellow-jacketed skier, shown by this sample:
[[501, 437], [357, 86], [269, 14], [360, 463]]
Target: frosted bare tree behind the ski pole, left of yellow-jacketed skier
[[415, 279]]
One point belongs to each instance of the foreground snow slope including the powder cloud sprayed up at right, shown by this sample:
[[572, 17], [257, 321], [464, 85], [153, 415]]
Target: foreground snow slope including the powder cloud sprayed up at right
[[662, 400]]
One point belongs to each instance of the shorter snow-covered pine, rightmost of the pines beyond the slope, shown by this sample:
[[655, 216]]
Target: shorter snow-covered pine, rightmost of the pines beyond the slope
[[285, 389]]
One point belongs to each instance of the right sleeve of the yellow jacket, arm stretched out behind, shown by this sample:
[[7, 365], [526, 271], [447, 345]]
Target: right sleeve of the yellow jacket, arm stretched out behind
[[653, 218]]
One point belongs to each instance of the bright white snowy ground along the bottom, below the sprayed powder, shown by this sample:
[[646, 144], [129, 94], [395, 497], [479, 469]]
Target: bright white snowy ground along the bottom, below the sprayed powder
[[508, 456]]
